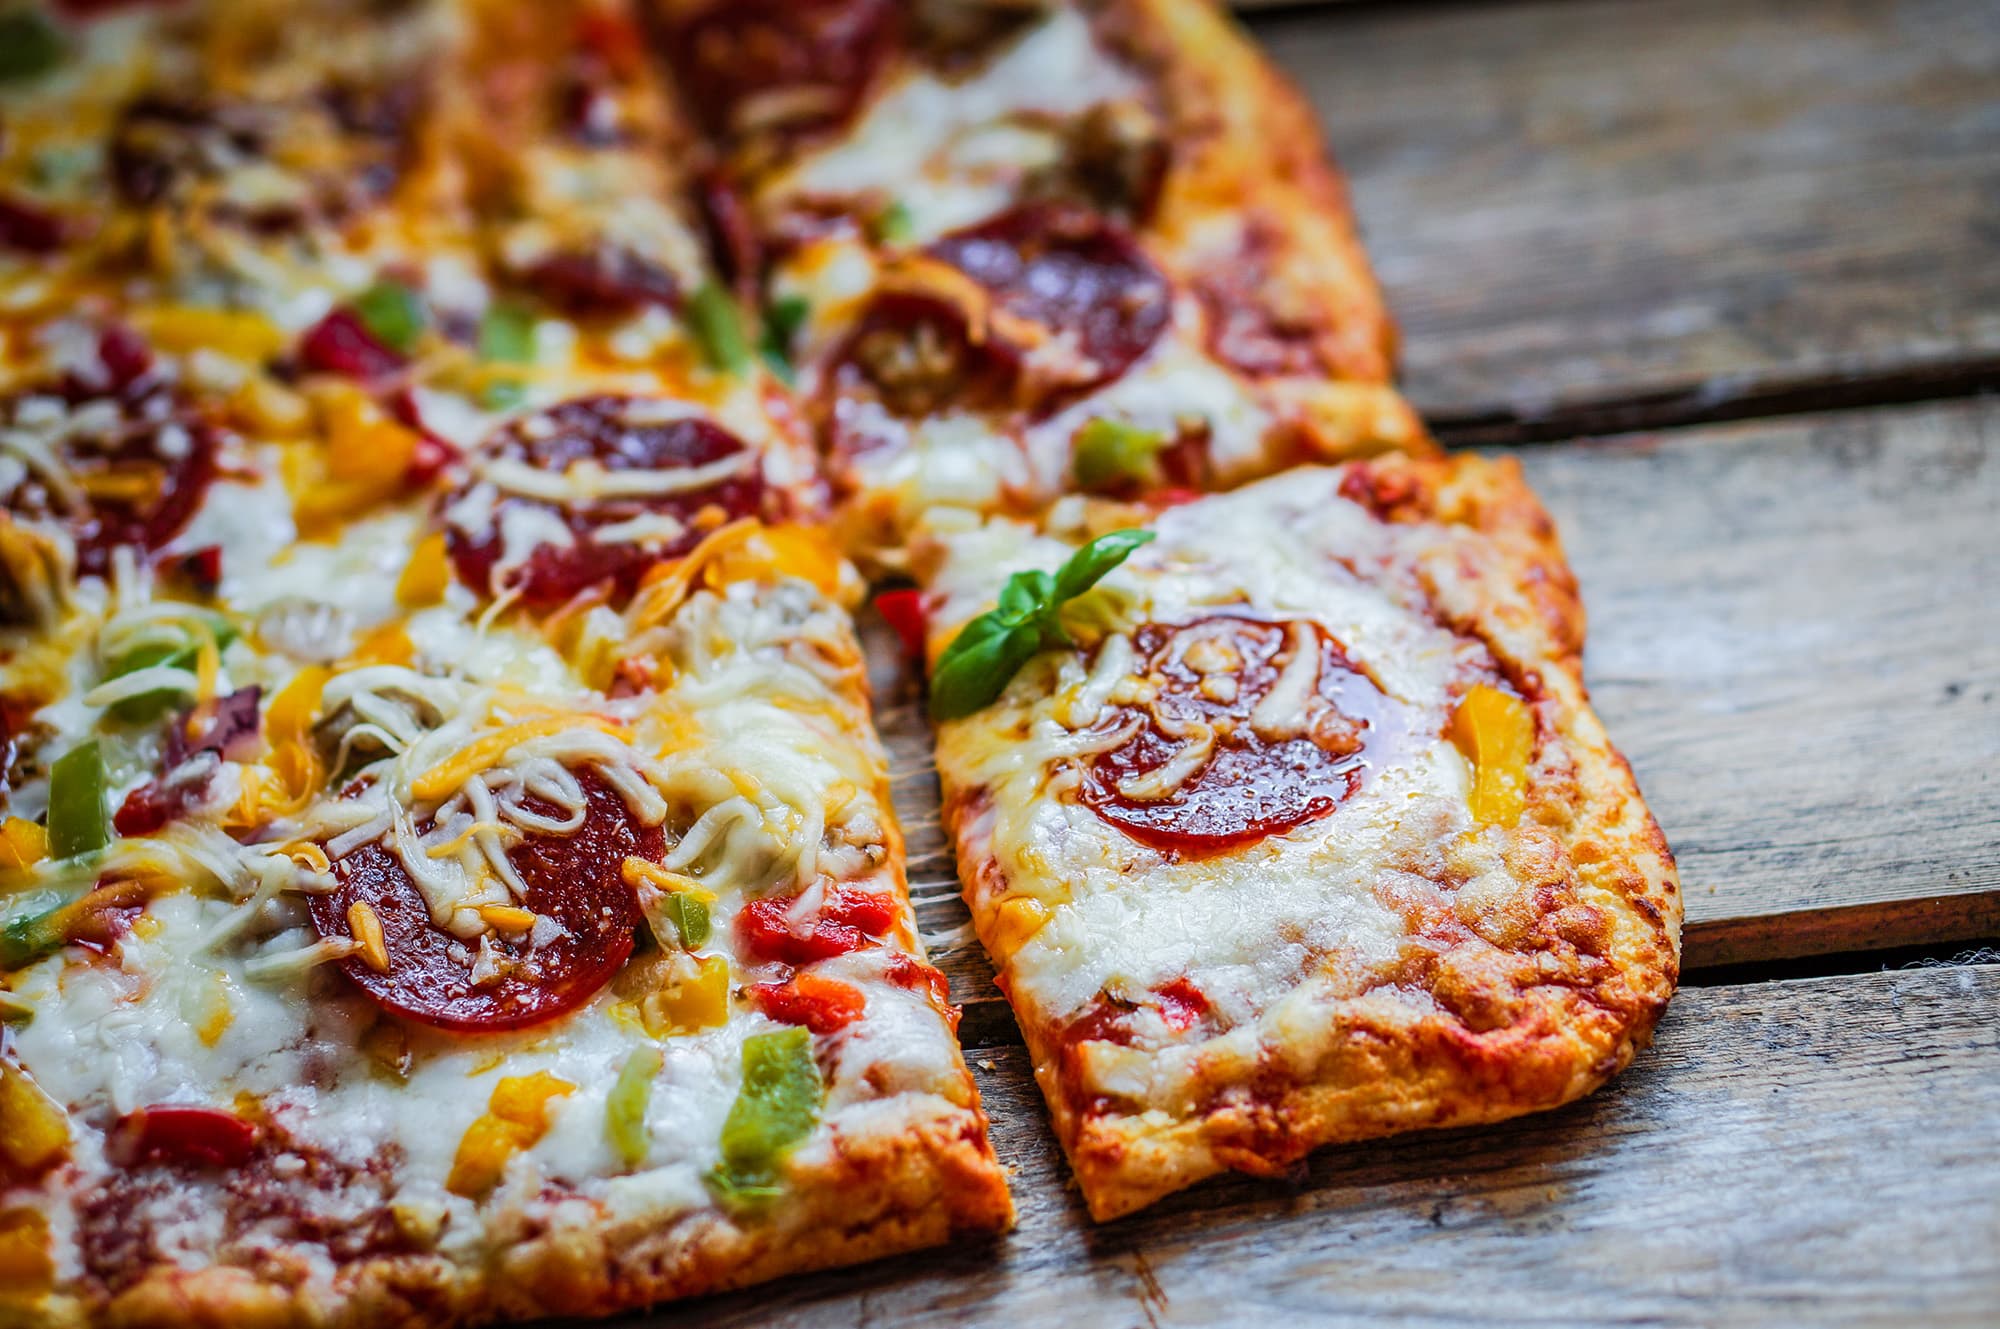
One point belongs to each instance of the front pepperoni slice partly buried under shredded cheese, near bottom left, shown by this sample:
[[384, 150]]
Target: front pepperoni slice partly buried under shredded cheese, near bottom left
[[573, 880]]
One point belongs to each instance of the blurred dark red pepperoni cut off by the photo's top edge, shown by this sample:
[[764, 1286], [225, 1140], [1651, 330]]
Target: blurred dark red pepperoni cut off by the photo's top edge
[[785, 67]]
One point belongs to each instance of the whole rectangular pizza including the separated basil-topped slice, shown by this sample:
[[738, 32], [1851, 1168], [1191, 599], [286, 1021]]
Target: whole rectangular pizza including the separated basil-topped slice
[[447, 862]]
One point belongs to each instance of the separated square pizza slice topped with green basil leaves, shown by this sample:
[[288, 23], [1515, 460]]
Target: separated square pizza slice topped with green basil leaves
[[1285, 818]]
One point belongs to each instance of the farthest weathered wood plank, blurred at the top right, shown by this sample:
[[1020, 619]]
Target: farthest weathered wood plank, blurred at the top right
[[1703, 207]]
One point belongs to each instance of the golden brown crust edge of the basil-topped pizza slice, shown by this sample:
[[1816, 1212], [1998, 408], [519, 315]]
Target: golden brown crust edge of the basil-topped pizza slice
[[1513, 1002]]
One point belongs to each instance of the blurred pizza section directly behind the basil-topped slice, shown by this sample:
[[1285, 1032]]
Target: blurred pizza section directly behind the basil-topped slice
[[1013, 251]]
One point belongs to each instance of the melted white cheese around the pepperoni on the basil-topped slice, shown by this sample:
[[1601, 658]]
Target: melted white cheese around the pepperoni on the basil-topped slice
[[1253, 926]]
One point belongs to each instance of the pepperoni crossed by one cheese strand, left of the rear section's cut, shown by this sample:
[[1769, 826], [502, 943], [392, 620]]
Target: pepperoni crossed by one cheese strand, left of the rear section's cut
[[619, 435]]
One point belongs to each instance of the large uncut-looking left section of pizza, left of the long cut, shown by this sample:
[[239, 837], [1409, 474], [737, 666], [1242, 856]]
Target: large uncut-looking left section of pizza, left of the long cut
[[447, 864]]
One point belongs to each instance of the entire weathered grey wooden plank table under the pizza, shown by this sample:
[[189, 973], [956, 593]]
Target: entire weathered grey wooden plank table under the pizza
[[1729, 277]]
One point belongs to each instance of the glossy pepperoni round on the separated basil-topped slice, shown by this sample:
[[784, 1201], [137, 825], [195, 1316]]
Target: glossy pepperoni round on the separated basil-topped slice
[[1269, 770]]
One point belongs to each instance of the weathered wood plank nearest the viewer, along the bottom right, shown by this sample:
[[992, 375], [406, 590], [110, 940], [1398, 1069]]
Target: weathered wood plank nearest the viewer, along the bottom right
[[1789, 1154]]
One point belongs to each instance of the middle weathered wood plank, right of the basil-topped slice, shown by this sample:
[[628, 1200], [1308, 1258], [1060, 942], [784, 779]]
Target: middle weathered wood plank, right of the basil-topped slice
[[1795, 639]]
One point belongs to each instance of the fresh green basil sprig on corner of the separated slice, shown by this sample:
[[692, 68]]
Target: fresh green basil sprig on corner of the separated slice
[[991, 649]]
